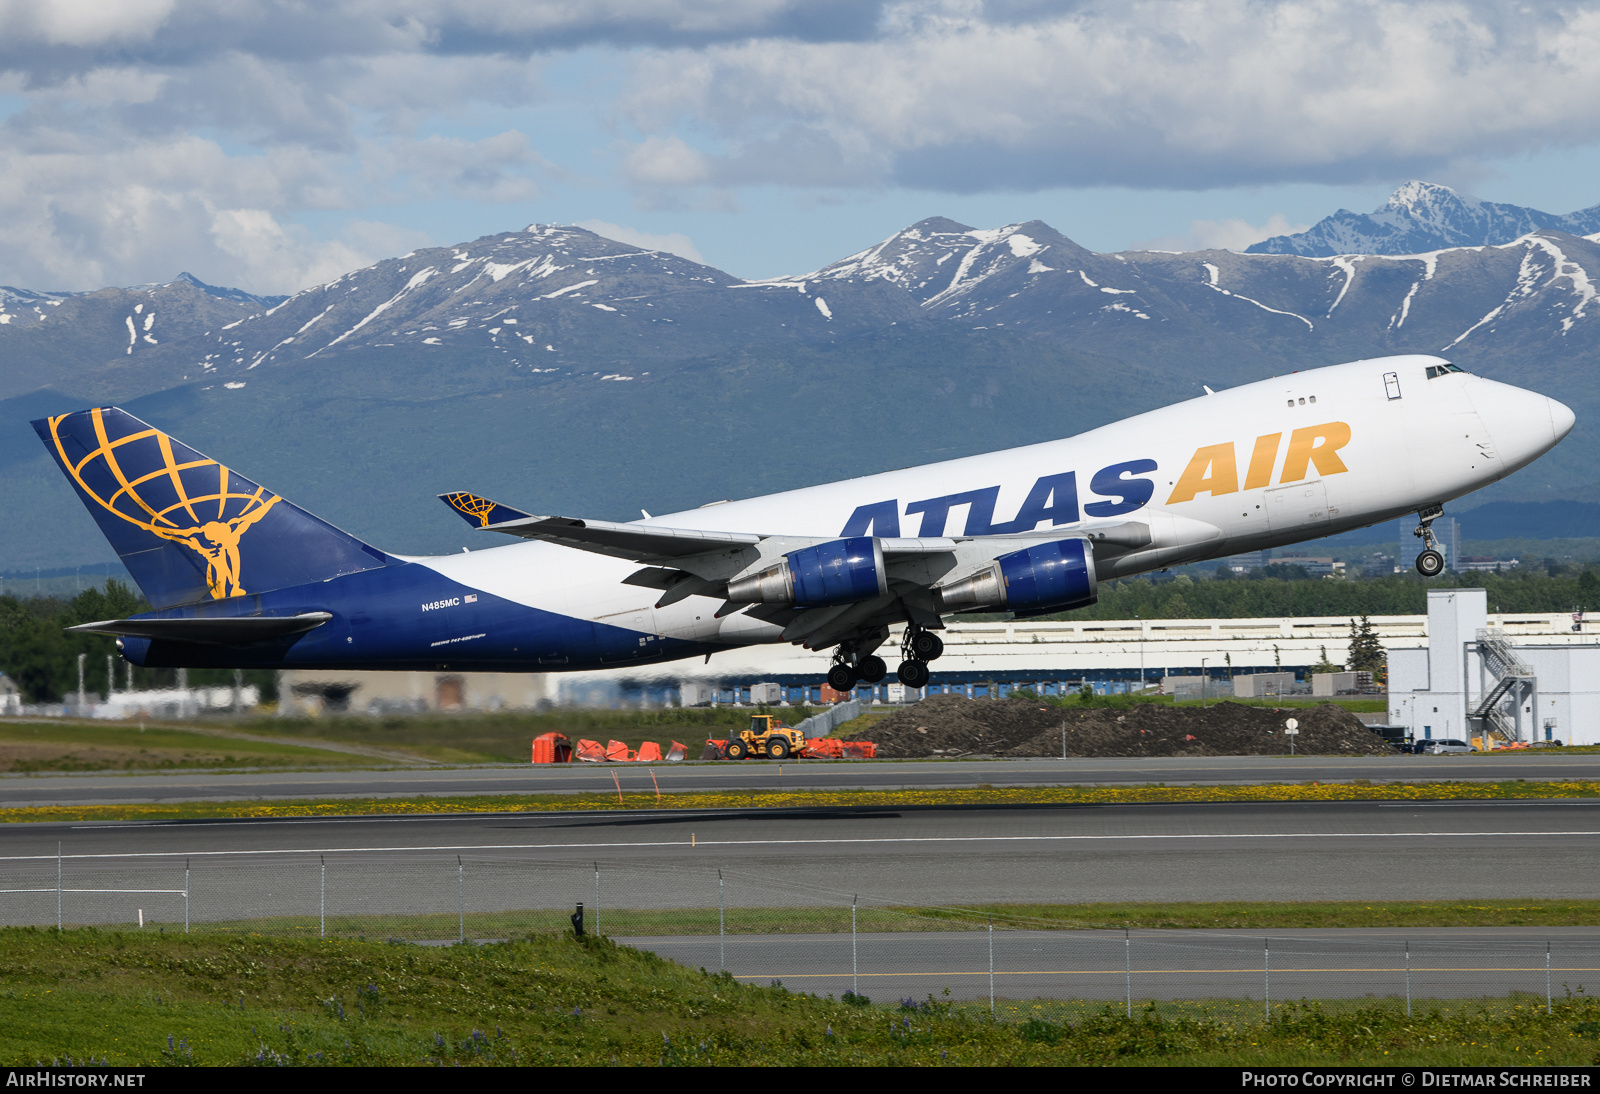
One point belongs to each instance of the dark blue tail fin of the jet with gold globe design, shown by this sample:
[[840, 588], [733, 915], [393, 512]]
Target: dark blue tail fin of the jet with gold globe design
[[186, 527]]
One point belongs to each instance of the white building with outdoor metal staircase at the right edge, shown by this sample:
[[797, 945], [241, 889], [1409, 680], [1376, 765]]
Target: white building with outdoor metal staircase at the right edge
[[1476, 677]]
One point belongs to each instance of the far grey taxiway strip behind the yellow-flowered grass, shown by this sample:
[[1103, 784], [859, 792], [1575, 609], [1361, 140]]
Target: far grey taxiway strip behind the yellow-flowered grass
[[908, 775]]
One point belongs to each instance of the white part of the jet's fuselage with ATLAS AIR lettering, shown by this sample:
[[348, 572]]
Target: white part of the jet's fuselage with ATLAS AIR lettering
[[1265, 465]]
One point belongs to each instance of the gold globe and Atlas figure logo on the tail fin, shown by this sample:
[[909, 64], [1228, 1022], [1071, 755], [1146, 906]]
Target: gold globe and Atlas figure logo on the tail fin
[[188, 503]]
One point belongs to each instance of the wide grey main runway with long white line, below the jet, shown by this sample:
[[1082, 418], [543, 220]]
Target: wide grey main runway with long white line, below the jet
[[1222, 852]]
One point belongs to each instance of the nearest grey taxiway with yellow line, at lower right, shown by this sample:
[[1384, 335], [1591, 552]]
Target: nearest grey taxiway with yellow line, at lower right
[[1110, 967]]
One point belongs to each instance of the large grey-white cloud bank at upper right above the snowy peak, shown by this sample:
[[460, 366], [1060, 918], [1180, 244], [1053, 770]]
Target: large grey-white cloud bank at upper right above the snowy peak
[[1164, 94]]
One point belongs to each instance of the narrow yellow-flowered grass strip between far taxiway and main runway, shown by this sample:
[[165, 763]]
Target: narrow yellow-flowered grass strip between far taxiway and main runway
[[647, 802]]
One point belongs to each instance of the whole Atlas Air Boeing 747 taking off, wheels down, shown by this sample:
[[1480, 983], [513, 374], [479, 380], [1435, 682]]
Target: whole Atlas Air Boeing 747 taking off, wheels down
[[242, 578]]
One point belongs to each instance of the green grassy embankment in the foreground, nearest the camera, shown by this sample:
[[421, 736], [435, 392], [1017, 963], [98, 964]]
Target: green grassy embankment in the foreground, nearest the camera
[[551, 1000]]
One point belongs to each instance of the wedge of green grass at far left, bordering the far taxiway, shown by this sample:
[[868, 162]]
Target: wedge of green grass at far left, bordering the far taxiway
[[78, 746]]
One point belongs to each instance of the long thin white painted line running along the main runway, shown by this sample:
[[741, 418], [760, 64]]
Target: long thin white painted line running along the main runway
[[810, 844]]
